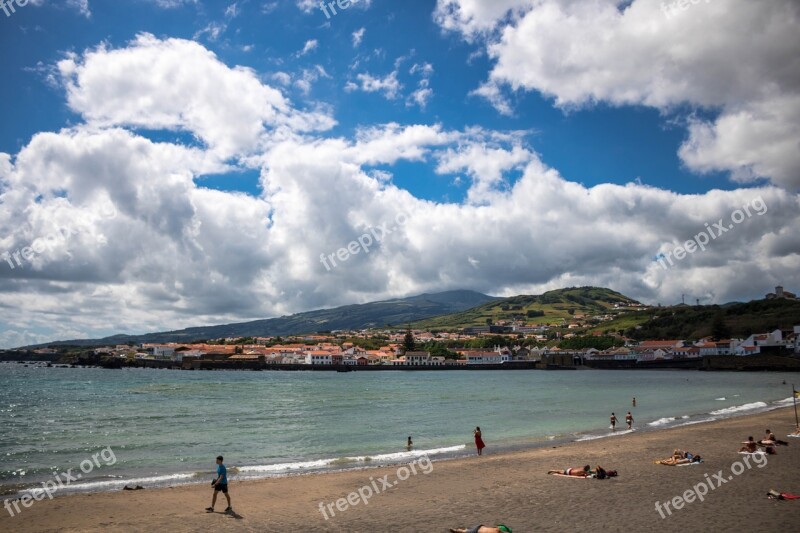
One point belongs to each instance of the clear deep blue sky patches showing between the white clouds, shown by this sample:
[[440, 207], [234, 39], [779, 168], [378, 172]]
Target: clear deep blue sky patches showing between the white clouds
[[596, 145]]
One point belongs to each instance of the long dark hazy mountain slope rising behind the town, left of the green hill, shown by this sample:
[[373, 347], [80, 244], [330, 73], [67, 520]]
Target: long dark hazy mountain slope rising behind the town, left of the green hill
[[397, 312]]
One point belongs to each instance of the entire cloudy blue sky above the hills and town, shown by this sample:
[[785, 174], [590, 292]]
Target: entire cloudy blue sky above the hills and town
[[176, 163]]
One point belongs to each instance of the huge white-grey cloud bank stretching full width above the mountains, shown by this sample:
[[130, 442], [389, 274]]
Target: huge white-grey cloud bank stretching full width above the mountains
[[178, 254]]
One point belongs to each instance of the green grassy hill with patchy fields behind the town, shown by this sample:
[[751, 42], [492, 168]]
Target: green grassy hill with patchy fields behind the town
[[548, 308]]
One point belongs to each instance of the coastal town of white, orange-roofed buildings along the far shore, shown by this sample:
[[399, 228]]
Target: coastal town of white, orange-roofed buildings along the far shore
[[580, 340]]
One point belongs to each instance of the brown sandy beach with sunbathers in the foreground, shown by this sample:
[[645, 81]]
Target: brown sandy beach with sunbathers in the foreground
[[512, 488]]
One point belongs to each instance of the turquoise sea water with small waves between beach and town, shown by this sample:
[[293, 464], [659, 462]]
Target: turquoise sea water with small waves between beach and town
[[166, 427]]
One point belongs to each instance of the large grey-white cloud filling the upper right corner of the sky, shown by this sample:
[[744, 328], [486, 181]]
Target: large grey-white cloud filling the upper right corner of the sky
[[581, 52]]
